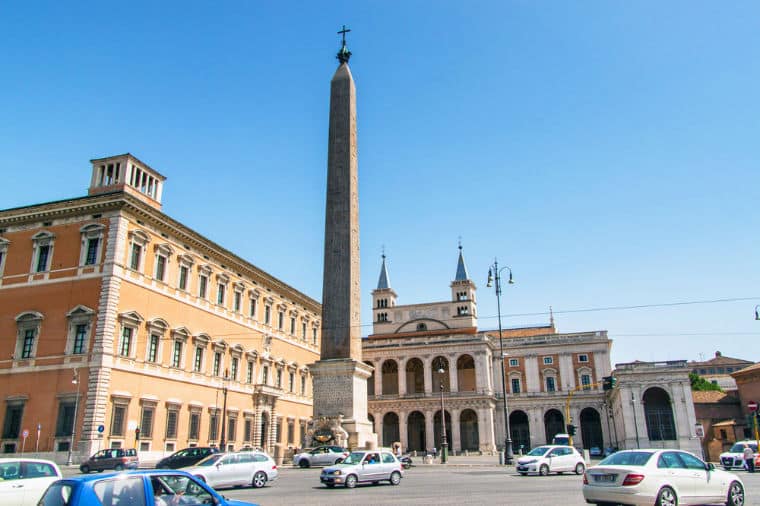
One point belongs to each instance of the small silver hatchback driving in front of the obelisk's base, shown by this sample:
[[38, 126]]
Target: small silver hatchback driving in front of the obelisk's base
[[364, 466]]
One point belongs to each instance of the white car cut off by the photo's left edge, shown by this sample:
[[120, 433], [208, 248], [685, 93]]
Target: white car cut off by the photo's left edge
[[23, 481]]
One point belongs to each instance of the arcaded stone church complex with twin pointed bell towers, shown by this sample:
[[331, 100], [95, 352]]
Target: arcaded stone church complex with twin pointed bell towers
[[432, 358]]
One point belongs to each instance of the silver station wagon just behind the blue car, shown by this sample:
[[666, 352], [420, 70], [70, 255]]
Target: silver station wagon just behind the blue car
[[232, 469]]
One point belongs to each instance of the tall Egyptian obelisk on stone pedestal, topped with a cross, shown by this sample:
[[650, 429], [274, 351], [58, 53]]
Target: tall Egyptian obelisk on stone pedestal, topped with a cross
[[340, 376]]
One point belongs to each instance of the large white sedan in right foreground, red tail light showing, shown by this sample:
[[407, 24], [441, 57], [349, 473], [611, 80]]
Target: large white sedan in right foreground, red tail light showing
[[660, 477]]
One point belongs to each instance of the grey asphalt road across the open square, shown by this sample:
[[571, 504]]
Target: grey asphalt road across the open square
[[438, 485]]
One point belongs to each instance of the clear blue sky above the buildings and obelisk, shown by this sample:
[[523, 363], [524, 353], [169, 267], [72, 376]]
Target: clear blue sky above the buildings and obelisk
[[606, 151]]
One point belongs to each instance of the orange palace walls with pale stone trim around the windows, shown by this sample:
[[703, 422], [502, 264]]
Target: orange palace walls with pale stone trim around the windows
[[111, 296]]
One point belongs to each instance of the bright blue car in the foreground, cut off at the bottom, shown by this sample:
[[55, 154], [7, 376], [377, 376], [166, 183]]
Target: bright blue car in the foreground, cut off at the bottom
[[154, 487]]
